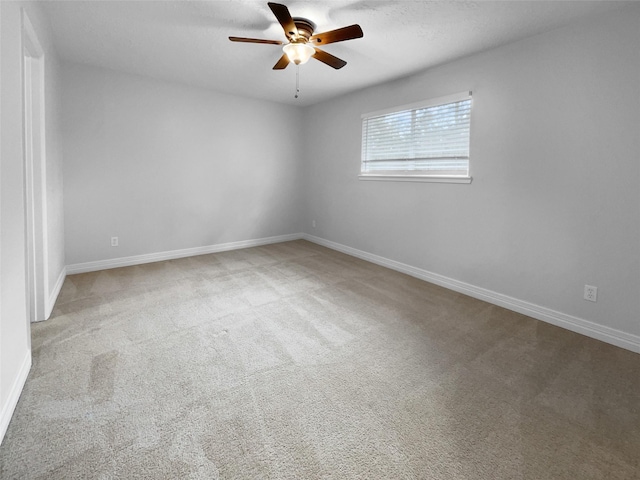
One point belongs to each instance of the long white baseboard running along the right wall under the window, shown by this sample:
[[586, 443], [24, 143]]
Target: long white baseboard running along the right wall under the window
[[575, 324]]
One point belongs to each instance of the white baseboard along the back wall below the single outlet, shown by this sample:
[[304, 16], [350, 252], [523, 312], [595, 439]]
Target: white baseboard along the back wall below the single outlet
[[172, 254]]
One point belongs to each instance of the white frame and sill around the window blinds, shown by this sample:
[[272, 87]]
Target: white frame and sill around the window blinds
[[419, 176]]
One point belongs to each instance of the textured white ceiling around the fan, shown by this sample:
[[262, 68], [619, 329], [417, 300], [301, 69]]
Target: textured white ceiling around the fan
[[186, 41]]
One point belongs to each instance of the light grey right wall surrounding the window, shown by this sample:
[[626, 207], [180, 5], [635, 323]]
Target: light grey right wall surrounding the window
[[554, 203]]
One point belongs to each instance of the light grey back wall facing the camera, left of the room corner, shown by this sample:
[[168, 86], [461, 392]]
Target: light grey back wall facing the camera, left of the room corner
[[167, 167]]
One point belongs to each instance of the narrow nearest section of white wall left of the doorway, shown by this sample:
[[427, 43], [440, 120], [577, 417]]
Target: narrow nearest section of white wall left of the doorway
[[14, 331]]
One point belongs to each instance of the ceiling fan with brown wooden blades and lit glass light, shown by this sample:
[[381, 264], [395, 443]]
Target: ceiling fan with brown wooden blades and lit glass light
[[302, 41]]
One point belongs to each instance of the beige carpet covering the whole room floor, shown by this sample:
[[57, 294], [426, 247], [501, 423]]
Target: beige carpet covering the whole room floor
[[294, 361]]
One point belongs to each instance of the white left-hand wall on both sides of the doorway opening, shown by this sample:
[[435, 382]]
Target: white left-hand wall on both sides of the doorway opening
[[14, 329]]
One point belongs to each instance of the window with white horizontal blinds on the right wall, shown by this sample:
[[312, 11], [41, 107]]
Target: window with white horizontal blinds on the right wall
[[428, 141]]
